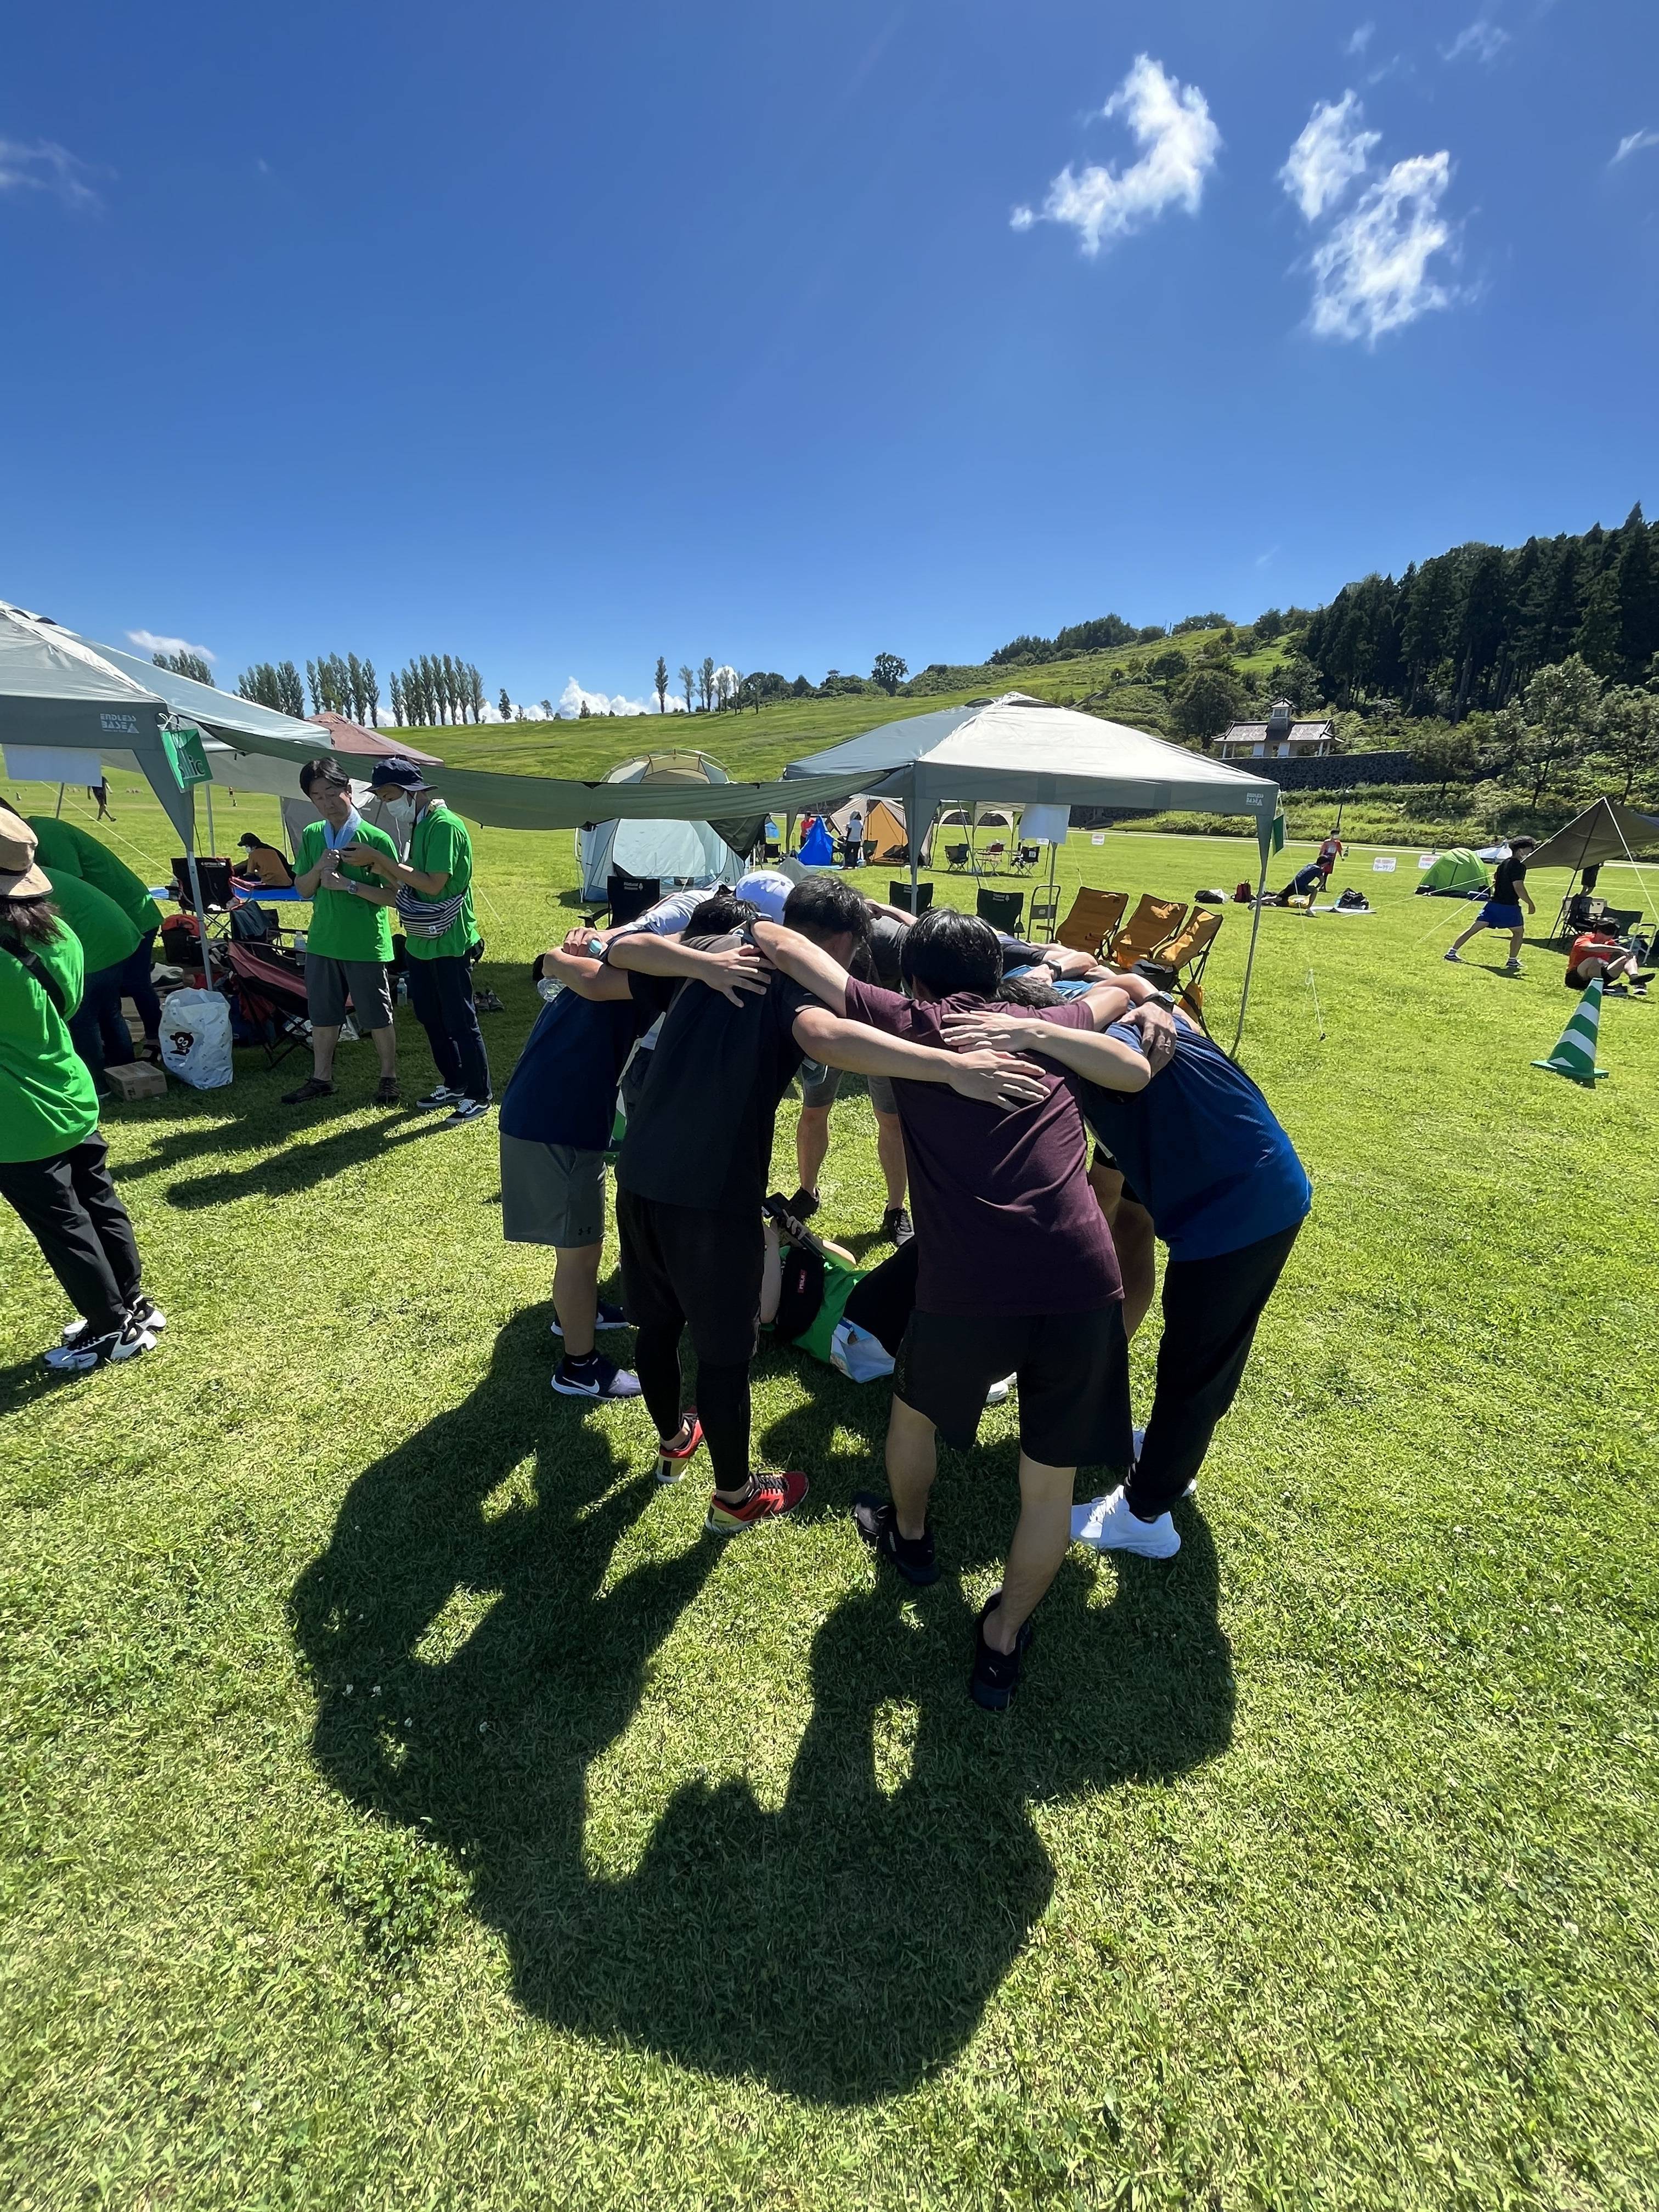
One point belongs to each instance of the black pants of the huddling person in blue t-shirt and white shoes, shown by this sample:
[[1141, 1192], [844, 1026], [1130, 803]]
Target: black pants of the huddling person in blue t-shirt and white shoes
[[1211, 1313]]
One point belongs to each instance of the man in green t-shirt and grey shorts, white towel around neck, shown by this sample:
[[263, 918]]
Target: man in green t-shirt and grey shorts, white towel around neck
[[351, 939]]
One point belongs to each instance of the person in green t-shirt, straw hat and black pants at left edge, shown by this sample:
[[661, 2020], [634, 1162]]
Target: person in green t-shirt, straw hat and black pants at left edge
[[54, 1165]]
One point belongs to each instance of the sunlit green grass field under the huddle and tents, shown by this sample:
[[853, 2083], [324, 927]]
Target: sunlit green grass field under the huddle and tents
[[406, 1804]]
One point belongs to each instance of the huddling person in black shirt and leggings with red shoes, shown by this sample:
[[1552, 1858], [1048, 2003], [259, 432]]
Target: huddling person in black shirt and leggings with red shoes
[[696, 1165]]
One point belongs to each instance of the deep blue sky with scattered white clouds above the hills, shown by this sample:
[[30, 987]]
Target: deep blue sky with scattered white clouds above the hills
[[567, 337]]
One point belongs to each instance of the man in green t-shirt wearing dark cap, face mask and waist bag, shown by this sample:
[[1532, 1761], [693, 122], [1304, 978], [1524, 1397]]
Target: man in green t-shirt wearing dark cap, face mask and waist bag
[[437, 908]]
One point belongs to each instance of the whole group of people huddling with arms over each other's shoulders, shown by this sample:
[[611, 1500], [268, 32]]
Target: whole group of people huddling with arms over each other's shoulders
[[990, 1065]]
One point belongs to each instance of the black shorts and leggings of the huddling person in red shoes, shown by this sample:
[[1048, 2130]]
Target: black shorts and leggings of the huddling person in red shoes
[[691, 1266]]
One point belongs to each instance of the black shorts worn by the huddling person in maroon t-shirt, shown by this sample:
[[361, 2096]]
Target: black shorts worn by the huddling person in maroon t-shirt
[[1072, 1375]]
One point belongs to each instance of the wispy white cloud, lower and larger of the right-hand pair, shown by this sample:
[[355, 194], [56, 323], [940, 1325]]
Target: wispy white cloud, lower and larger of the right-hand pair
[[1373, 267]]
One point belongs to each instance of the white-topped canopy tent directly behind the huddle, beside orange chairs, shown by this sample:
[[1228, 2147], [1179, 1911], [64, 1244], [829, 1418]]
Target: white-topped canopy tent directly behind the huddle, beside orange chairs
[[1045, 755]]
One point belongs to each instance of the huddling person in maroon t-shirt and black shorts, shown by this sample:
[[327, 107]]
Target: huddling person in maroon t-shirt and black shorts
[[1016, 1271]]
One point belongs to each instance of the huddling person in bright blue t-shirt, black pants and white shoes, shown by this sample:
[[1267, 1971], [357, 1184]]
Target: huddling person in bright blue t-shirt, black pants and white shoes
[[1198, 1158]]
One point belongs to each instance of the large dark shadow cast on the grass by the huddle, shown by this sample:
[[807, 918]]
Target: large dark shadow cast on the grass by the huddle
[[837, 1948]]
